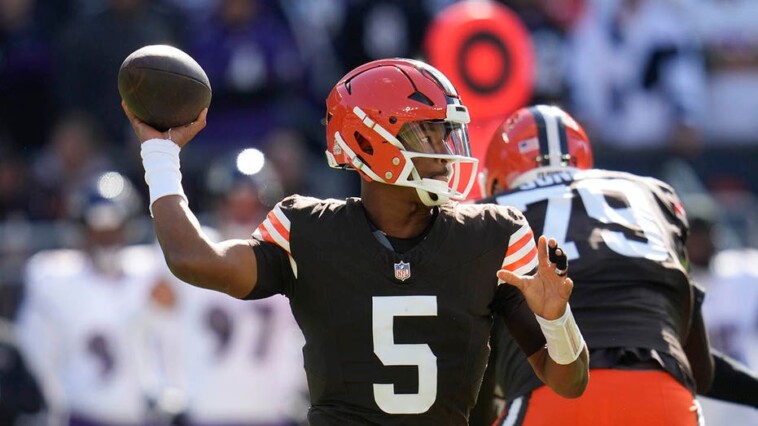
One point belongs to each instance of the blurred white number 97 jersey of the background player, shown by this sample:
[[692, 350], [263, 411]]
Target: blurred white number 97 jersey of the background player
[[240, 361]]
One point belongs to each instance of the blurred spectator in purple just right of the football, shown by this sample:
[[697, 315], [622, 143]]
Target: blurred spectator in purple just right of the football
[[247, 49]]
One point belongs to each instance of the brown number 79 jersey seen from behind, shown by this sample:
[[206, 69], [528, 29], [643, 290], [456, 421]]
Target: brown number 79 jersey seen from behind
[[624, 237]]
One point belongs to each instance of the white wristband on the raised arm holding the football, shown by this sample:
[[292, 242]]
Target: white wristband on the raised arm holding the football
[[160, 158]]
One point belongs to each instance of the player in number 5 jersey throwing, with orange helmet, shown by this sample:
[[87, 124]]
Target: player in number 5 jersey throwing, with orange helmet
[[394, 291]]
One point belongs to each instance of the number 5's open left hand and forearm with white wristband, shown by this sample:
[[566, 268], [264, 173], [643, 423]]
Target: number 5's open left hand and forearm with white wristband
[[564, 364]]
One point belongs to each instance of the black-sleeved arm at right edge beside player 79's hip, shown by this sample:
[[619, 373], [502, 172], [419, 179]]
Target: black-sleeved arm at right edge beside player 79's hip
[[733, 382]]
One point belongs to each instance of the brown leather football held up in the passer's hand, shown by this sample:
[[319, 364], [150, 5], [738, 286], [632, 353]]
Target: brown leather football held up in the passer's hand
[[163, 86]]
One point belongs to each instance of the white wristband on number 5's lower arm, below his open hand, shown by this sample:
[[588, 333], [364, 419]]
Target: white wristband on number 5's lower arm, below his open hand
[[564, 340]]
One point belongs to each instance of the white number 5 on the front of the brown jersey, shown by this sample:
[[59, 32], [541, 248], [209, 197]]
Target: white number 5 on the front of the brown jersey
[[384, 311]]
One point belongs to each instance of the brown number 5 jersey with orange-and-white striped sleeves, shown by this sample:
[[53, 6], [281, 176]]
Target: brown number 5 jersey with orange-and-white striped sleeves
[[395, 338]]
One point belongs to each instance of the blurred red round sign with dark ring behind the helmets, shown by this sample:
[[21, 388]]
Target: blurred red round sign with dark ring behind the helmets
[[486, 51]]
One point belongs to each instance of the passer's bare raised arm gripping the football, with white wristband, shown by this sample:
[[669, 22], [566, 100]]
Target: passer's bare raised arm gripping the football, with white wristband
[[229, 266]]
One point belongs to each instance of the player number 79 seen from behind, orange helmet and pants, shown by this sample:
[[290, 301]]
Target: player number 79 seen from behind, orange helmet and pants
[[624, 236]]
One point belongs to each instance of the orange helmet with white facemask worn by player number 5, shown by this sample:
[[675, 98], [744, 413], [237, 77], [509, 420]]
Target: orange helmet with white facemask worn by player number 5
[[383, 114]]
